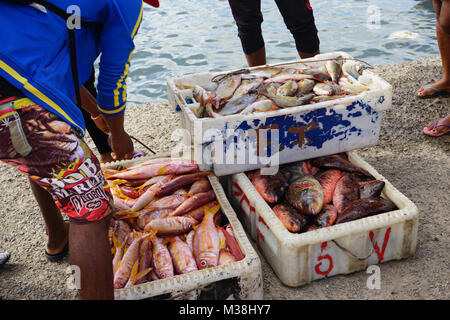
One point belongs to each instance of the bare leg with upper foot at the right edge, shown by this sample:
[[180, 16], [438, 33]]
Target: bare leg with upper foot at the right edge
[[443, 37]]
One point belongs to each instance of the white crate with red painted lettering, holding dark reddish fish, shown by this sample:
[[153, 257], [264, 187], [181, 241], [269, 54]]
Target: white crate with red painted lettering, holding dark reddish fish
[[298, 259]]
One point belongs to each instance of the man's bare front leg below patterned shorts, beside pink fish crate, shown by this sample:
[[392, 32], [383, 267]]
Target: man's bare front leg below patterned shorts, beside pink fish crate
[[90, 251]]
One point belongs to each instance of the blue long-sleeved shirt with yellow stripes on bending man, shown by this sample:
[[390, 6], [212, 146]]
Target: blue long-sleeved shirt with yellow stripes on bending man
[[35, 55]]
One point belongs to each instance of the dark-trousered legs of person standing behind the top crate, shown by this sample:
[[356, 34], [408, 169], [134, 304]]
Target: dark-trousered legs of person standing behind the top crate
[[298, 17]]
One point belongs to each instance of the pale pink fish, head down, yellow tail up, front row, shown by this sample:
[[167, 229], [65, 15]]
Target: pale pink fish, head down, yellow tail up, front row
[[206, 241]]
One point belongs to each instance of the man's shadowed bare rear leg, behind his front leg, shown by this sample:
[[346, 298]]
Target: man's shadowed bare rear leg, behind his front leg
[[55, 226]]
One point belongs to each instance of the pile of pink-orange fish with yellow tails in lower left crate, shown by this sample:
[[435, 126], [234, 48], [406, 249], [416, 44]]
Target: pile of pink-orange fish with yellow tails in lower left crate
[[167, 222]]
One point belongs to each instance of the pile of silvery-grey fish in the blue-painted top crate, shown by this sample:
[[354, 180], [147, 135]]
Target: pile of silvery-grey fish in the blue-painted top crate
[[272, 88]]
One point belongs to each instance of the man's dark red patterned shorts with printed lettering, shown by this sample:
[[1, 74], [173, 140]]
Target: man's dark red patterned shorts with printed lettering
[[60, 162]]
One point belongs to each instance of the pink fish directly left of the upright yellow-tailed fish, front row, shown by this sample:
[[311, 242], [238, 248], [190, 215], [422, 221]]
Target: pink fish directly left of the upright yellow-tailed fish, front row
[[182, 256]]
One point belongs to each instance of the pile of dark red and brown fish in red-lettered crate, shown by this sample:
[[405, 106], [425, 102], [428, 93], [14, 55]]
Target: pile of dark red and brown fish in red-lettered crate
[[321, 192]]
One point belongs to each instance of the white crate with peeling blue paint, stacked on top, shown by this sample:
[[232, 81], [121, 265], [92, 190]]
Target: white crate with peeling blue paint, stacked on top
[[238, 143]]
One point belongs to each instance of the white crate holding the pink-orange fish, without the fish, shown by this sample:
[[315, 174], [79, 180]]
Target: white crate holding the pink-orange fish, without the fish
[[241, 280]]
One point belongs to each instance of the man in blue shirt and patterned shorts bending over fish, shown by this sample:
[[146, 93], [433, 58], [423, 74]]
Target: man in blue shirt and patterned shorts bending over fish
[[41, 127]]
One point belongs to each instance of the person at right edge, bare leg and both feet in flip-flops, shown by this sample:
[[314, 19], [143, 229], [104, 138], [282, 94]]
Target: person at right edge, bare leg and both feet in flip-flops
[[441, 88]]
